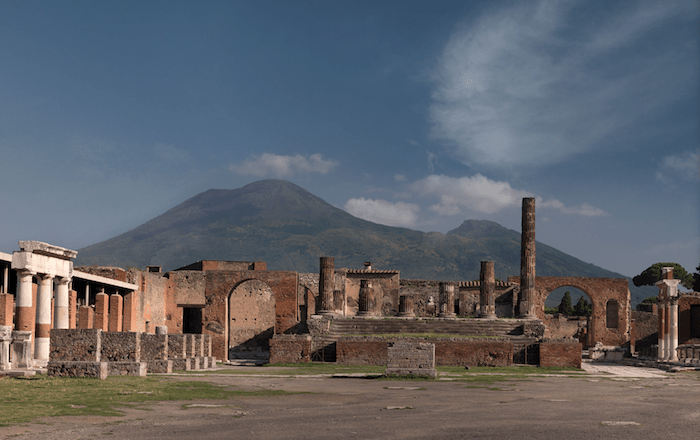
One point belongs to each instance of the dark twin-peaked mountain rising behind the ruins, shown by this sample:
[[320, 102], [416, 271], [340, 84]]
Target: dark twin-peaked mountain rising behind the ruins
[[289, 228]]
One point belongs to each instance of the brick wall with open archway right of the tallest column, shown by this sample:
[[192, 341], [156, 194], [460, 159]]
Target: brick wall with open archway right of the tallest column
[[599, 291]]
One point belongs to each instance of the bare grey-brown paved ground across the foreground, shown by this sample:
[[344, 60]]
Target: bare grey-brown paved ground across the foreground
[[613, 402]]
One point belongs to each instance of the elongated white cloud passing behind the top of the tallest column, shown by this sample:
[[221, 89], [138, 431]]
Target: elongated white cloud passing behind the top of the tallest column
[[481, 194]]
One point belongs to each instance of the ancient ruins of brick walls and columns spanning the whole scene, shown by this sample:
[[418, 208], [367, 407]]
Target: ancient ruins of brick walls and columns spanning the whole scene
[[247, 313]]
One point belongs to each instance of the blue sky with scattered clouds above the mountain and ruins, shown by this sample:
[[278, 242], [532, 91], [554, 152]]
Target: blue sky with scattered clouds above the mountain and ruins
[[414, 114]]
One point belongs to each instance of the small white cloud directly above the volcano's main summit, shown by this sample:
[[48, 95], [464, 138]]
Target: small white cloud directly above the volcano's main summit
[[284, 166]]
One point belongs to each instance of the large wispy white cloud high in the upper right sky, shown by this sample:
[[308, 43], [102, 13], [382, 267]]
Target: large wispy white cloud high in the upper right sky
[[531, 85]]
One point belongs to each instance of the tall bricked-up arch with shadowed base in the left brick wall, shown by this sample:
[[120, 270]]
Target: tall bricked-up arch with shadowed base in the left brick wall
[[250, 323]]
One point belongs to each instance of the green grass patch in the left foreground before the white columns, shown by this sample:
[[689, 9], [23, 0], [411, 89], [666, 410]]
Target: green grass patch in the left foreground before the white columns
[[23, 400]]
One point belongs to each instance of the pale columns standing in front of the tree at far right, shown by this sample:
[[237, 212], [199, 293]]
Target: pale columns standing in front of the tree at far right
[[668, 316]]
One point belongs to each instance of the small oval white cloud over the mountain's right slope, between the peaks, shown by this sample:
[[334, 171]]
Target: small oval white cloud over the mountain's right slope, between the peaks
[[386, 213]]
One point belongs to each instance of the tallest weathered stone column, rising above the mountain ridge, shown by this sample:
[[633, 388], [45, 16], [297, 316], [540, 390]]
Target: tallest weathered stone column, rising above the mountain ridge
[[527, 260]]
